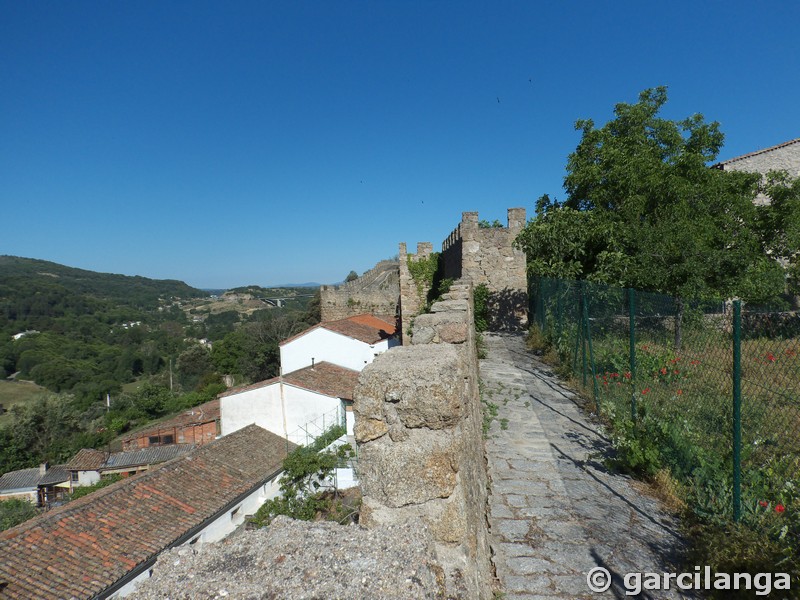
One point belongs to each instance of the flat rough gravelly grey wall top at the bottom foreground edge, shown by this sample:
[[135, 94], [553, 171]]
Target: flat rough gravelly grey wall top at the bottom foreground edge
[[293, 560]]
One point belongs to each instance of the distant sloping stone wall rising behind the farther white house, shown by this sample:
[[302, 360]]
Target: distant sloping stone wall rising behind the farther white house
[[376, 292]]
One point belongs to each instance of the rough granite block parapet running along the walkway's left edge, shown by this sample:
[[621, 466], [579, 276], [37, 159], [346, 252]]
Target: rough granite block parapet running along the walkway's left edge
[[420, 441]]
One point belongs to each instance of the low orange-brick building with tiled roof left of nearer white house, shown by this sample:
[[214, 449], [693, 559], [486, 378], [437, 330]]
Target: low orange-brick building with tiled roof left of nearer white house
[[198, 425]]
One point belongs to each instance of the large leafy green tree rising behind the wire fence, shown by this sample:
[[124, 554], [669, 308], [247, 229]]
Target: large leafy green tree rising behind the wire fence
[[644, 209]]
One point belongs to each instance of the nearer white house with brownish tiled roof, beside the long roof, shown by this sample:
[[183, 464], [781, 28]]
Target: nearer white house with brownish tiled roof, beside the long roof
[[295, 406]]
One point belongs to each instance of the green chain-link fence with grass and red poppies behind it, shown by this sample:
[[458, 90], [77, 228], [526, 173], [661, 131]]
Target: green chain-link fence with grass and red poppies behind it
[[708, 390]]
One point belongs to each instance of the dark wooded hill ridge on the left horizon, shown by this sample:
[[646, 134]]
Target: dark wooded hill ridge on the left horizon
[[26, 275]]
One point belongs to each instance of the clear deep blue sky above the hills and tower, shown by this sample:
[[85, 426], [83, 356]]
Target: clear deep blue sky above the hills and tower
[[233, 143]]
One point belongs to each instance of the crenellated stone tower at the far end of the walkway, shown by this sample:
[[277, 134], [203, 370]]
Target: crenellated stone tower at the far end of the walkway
[[487, 255]]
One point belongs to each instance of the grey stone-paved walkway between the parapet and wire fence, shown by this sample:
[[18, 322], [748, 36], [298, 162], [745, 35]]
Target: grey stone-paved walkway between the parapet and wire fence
[[555, 512]]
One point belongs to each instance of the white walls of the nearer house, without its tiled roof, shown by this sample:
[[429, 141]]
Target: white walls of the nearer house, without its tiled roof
[[263, 407]]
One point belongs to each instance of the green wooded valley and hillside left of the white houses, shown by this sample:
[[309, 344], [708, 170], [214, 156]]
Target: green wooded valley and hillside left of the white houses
[[115, 352]]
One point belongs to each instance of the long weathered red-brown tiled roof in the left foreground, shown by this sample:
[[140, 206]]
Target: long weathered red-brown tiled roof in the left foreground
[[83, 548]]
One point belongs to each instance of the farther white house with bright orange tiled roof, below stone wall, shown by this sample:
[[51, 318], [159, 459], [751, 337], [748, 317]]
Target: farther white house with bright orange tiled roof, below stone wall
[[351, 343]]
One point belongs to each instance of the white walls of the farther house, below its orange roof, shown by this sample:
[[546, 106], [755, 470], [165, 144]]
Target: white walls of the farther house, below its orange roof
[[324, 345]]
